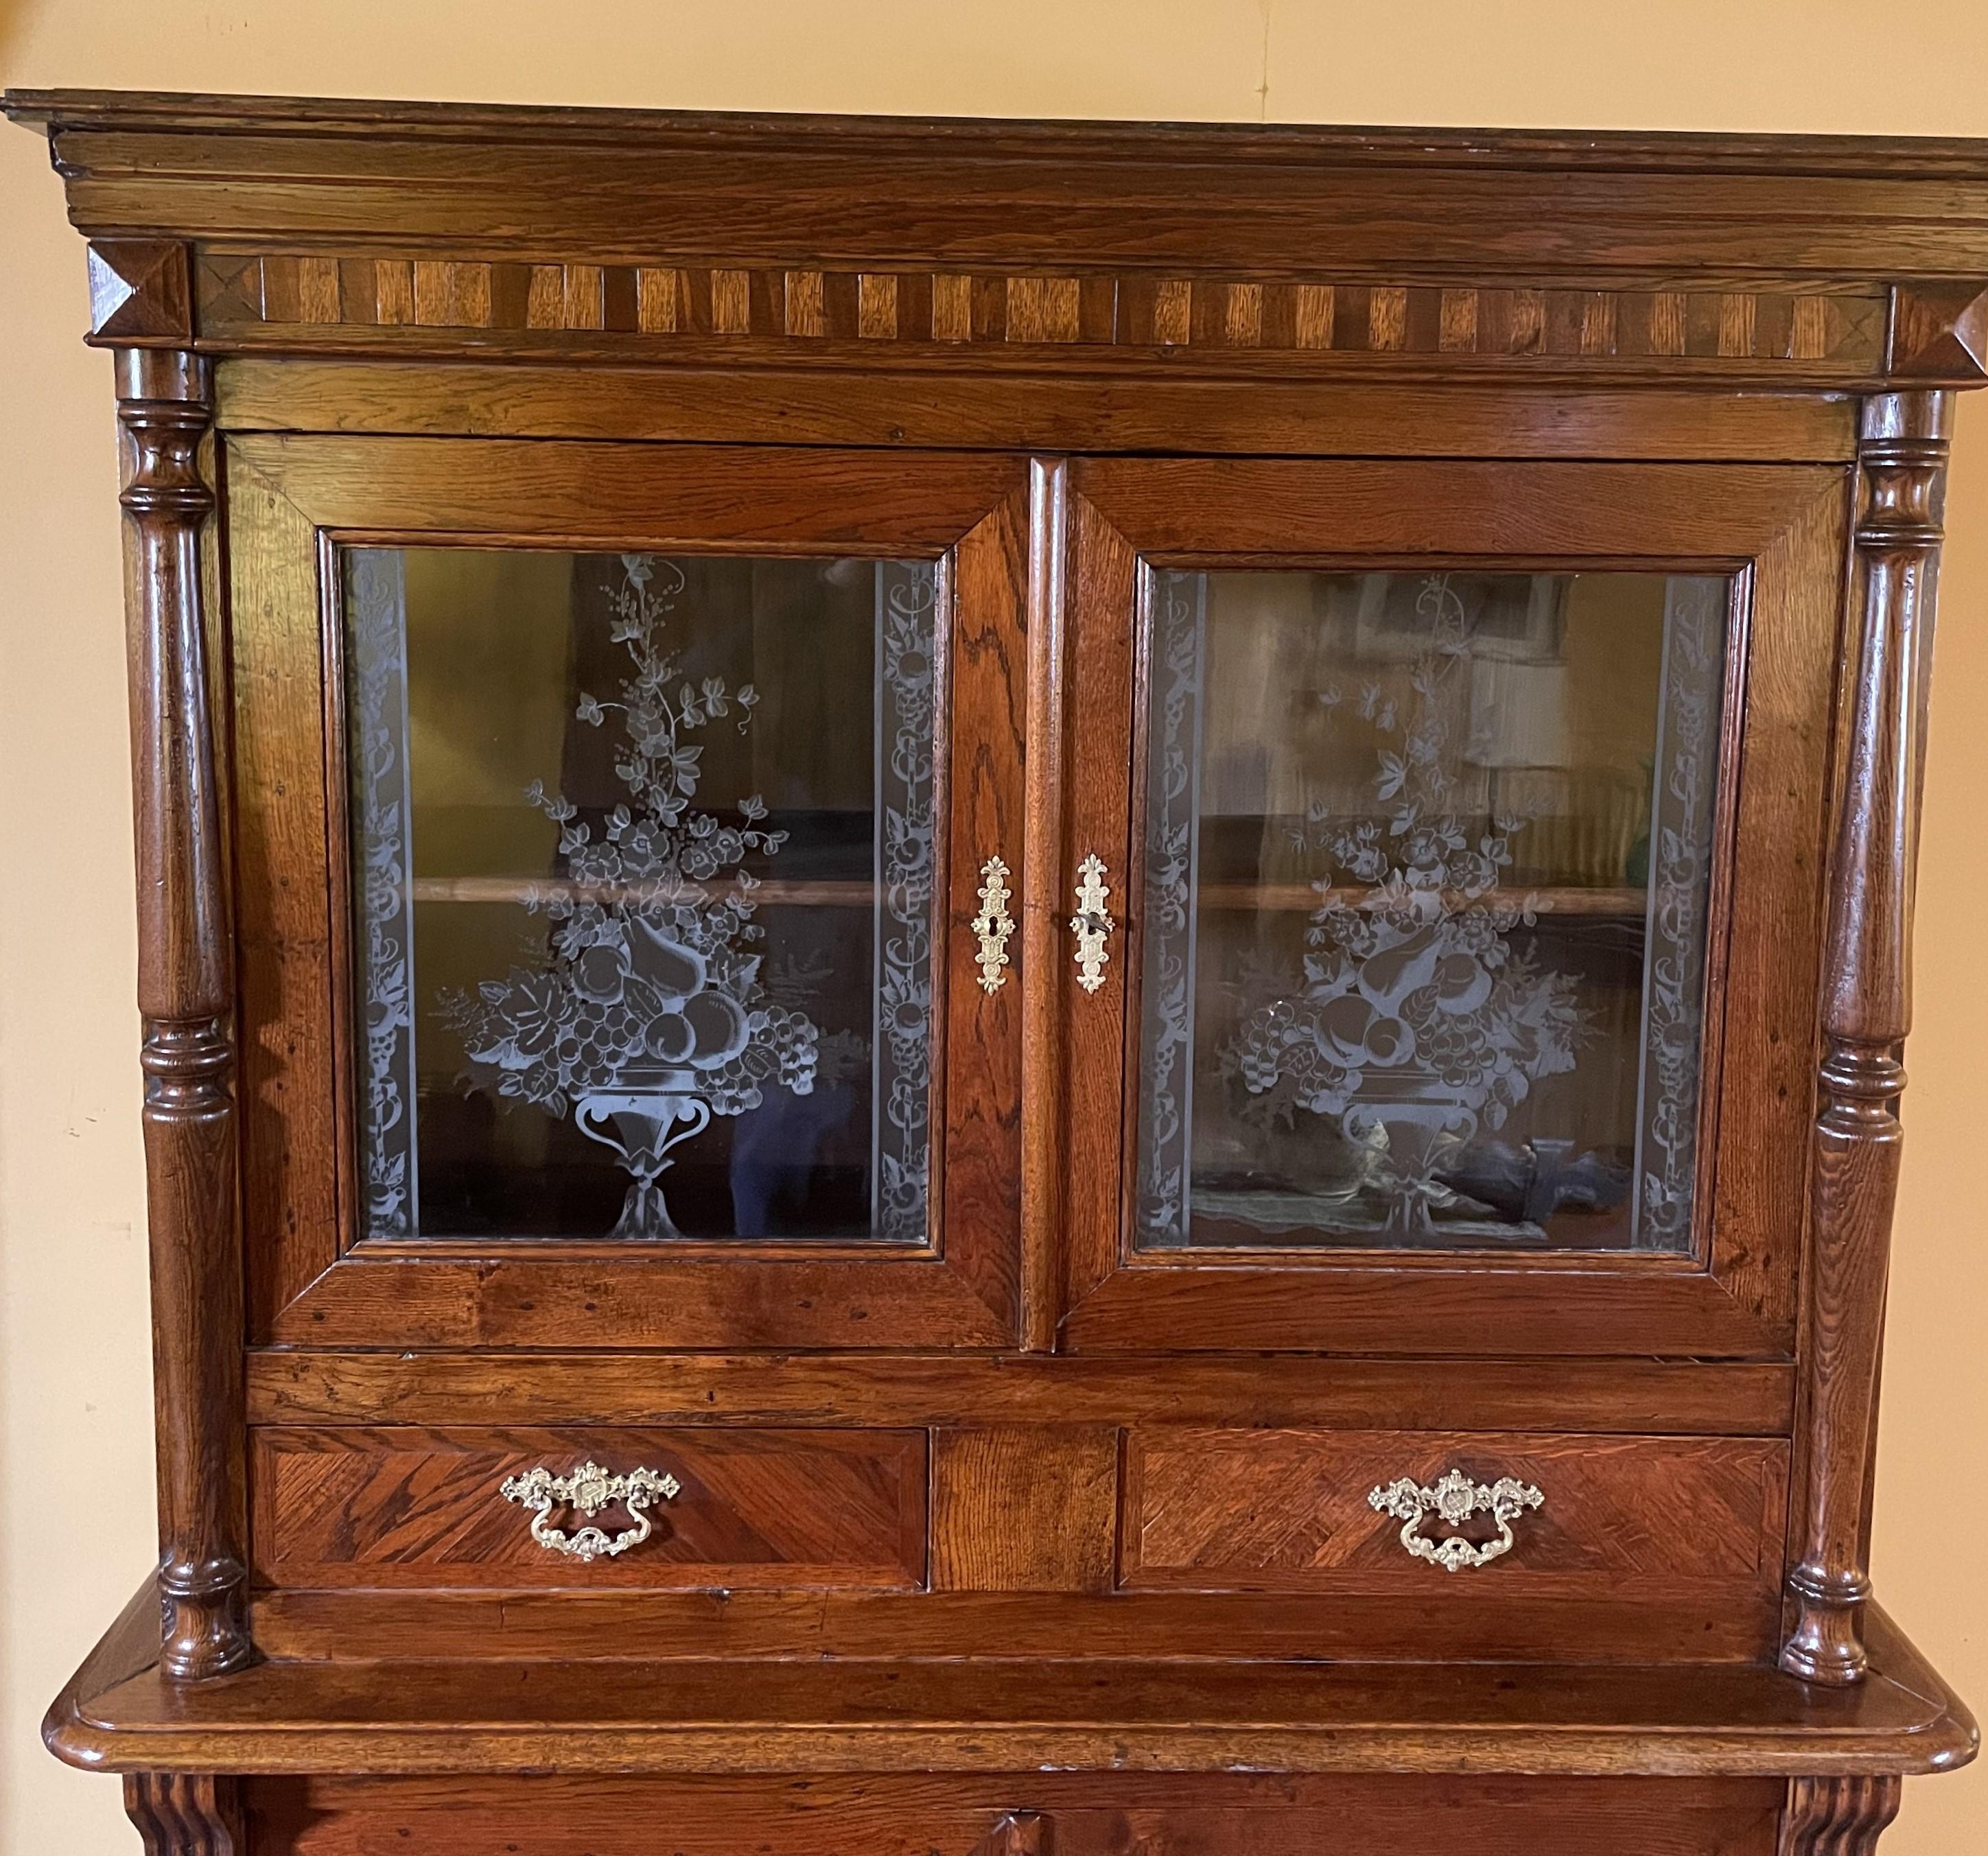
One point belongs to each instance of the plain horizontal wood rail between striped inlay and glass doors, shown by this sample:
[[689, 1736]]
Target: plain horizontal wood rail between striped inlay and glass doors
[[1031, 412]]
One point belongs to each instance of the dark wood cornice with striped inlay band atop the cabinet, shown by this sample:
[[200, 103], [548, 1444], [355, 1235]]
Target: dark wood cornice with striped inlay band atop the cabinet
[[1826, 263]]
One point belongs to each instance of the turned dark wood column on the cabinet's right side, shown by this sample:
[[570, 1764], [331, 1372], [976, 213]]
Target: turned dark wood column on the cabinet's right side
[[1868, 1010]]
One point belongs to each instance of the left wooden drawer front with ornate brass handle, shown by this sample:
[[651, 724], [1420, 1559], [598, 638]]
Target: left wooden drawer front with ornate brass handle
[[403, 1507]]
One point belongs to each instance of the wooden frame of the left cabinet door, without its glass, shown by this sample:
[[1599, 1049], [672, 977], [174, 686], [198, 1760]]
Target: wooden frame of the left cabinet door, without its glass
[[291, 504]]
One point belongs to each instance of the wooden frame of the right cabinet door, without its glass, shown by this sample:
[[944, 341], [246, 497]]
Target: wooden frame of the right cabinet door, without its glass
[[1784, 532]]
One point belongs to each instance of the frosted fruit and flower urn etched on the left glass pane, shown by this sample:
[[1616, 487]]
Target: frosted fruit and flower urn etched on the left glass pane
[[653, 1016]]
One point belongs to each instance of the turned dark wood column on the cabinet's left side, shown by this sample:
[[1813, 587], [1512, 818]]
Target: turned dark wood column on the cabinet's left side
[[186, 995]]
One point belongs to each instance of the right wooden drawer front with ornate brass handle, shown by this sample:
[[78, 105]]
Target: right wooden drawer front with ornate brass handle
[[1627, 1519]]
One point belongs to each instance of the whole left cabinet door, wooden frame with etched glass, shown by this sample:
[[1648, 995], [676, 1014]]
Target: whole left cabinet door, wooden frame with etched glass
[[663, 792]]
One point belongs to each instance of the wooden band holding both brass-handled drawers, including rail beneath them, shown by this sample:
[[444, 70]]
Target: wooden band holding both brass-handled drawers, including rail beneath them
[[1102, 1539]]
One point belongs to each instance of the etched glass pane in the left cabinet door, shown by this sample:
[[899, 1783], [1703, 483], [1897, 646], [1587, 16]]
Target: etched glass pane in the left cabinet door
[[643, 893]]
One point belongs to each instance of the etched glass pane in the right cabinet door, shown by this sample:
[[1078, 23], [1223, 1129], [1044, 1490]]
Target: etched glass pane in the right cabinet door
[[1424, 909]]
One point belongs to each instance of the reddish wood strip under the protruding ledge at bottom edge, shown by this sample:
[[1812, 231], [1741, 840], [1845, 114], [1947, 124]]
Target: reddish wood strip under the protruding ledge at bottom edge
[[1021, 1815]]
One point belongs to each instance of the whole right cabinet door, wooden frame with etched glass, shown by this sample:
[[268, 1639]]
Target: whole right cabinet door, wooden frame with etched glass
[[1430, 877]]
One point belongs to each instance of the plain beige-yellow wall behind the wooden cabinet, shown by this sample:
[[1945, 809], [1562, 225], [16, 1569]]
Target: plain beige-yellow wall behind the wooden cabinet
[[75, 1404]]
